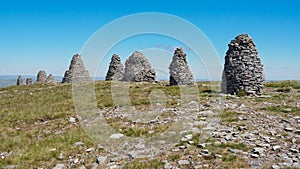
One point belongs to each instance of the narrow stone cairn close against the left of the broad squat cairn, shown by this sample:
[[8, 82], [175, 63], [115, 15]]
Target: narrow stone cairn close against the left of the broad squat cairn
[[116, 69]]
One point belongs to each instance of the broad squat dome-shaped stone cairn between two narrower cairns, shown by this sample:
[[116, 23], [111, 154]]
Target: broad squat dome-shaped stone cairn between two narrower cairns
[[138, 69]]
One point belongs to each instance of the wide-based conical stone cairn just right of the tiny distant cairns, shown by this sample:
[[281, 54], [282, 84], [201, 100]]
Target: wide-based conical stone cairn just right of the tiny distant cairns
[[76, 72]]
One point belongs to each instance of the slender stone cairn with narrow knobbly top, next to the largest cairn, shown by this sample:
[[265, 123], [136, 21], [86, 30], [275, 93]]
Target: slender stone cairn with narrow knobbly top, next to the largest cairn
[[180, 73]]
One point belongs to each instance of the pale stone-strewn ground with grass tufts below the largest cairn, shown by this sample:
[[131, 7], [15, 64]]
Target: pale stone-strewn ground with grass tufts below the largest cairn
[[217, 131]]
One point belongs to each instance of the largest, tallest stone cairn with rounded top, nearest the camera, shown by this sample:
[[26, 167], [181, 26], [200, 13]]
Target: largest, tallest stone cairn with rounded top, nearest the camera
[[243, 70]]
